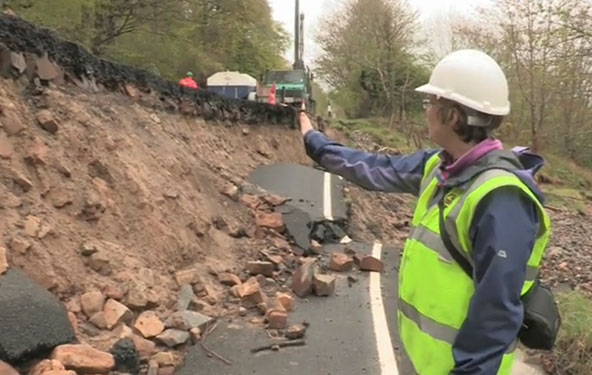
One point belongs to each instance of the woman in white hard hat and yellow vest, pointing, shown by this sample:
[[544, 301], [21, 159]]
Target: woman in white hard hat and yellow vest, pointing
[[479, 229]]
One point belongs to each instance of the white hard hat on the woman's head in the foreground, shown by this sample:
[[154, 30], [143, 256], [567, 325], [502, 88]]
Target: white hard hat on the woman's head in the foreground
[[473, 79]]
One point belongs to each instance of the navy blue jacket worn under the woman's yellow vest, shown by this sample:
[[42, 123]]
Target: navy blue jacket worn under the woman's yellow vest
[[505, 219]]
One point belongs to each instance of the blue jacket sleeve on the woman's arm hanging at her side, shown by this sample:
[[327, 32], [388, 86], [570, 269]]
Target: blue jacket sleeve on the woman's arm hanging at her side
[[503, 232]]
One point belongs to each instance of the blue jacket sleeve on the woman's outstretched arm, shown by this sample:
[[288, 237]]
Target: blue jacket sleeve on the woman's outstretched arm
[[400, 174]]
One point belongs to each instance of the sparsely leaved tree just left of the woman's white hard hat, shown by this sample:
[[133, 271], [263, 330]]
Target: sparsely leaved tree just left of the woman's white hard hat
[[367, 57]]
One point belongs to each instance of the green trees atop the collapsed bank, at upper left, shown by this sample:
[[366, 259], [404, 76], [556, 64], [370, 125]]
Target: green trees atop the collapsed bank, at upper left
[[168, 37]]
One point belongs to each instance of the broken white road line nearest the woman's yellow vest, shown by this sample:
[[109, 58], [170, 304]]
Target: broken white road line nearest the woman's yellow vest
[[386, 354]]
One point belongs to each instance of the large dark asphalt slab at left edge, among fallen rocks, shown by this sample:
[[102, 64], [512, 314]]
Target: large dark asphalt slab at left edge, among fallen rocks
[[32, 320]]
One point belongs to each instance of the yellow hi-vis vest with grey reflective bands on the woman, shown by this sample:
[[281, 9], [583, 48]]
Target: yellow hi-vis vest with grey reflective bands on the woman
[[434, 291]]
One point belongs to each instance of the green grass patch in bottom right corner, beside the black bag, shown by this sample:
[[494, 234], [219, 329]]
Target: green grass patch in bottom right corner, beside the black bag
[[573, 351]]
